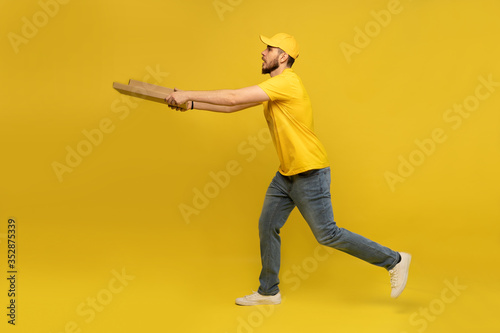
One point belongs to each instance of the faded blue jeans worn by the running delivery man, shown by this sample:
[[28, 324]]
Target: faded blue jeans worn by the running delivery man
[[310, 192]]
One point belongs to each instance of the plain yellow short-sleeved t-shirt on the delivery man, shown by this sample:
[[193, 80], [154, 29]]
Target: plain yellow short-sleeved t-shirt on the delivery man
[[290, 121]]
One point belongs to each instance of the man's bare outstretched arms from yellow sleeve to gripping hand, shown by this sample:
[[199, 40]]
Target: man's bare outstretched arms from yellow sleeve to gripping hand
[[220, 100]]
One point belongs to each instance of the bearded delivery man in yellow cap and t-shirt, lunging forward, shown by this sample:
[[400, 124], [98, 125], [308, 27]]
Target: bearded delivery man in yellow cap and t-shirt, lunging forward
[[303, 178]]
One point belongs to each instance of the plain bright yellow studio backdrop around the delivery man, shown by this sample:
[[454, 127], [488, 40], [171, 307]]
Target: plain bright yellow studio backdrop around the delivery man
[[119, 209]]
